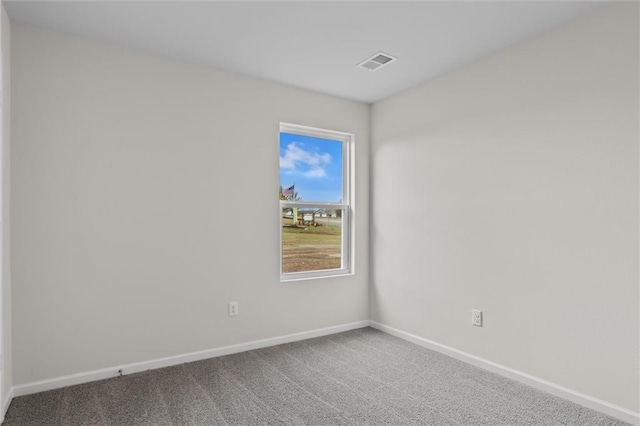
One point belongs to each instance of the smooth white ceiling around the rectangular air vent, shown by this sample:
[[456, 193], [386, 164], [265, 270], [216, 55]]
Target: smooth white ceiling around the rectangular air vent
[[313, 45]]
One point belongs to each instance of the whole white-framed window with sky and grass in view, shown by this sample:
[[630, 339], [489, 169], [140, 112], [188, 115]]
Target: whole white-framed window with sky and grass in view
[[315, 209]]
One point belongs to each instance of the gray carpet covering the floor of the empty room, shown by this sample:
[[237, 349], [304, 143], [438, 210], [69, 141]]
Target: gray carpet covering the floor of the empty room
[[353, 378]]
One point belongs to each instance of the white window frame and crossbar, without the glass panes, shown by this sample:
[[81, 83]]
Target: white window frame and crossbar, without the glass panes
[[347, 140]]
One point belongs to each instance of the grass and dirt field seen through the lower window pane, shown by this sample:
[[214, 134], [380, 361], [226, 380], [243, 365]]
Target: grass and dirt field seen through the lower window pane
[[311, 248]]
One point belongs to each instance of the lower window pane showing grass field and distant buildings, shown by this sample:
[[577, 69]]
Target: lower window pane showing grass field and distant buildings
[[311, 239]]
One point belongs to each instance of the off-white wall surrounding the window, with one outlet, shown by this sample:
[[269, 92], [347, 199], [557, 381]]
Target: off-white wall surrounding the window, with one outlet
[[144, 198]]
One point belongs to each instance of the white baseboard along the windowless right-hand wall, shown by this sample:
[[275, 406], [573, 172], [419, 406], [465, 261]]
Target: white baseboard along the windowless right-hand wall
[[612, 410]]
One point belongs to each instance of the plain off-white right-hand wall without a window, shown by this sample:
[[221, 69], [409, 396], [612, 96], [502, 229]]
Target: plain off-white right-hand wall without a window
[[511, 186]]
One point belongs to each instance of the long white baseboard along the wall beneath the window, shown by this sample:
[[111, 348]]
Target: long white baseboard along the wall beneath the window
[[106, 373]]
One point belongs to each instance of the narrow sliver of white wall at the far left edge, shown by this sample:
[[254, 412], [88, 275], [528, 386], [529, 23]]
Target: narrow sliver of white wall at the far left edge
[[5, 28]]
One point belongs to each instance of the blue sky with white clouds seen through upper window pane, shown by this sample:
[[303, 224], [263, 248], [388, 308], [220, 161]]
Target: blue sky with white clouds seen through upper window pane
[[314, 165]]
